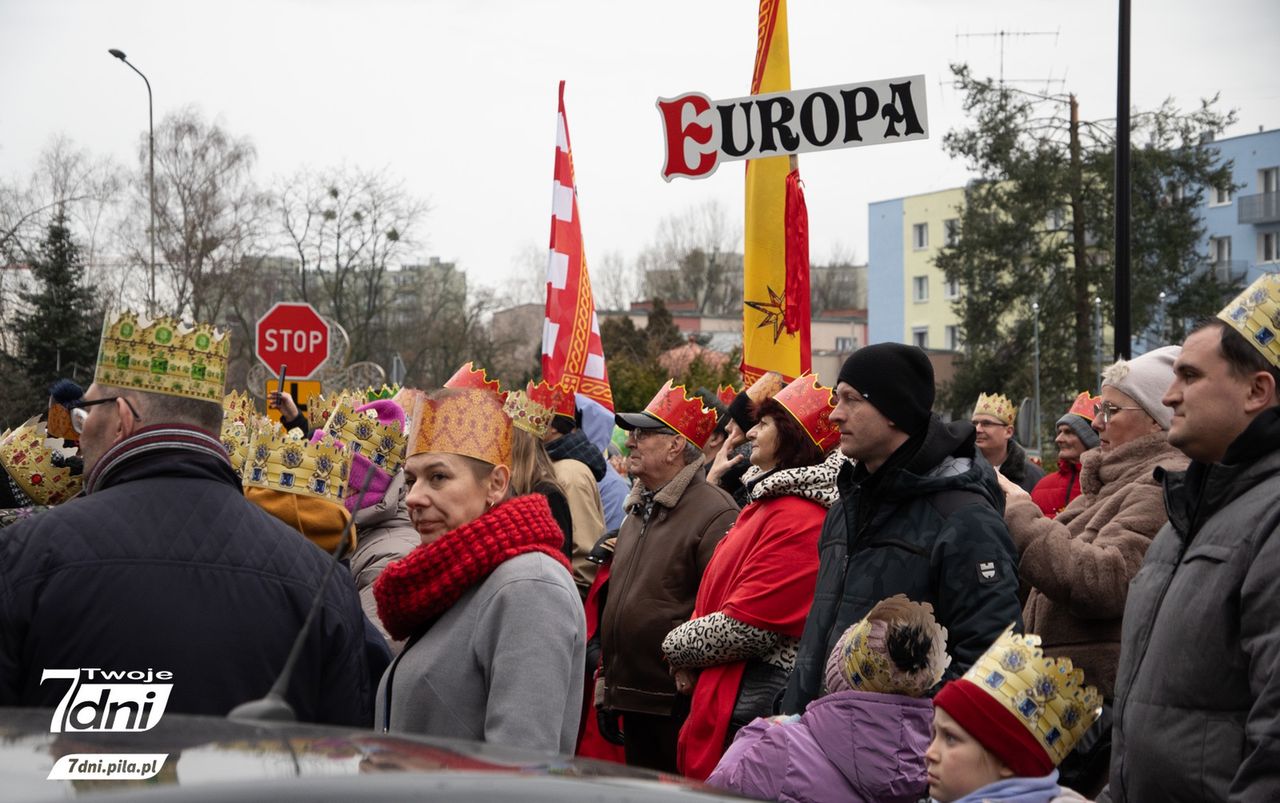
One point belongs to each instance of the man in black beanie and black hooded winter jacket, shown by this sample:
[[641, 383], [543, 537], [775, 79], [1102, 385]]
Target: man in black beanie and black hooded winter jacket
[[921, 514]]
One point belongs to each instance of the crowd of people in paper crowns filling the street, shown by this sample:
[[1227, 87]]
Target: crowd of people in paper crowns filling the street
[[793, 592]]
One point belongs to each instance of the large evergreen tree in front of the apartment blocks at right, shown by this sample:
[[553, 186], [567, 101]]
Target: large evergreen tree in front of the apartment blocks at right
[[1037, 227]]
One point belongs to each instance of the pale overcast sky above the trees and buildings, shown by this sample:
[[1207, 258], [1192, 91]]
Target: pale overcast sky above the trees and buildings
[[459, 98]]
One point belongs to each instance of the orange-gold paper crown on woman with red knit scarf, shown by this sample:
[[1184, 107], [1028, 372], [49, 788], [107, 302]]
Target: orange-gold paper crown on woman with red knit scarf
[[461, 422]]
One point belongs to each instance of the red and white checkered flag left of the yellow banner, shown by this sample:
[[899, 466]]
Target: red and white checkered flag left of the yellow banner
[[573, 355]]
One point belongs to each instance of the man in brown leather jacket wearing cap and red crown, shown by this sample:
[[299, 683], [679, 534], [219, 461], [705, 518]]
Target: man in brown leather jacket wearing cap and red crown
[[675, 519]]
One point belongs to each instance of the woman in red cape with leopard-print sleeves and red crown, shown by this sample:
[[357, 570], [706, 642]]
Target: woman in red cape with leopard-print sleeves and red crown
[[737, 653]]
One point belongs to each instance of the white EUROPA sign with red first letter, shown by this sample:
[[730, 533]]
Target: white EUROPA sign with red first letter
[[701, 133]]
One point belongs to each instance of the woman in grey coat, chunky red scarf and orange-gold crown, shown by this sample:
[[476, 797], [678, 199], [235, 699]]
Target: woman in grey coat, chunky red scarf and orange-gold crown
[[495, 623]]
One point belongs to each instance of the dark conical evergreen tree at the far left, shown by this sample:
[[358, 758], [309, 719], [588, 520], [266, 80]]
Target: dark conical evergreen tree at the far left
[[60, 334]]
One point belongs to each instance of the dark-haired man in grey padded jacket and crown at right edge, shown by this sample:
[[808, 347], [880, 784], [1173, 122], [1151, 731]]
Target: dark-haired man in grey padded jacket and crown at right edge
[[1197, 713]]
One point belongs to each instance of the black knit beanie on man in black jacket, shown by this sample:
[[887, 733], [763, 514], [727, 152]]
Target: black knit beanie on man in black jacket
[[897, 380]]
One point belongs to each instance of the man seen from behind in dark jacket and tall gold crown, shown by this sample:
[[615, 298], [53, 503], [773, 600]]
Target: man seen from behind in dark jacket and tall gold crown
[[163, 564]]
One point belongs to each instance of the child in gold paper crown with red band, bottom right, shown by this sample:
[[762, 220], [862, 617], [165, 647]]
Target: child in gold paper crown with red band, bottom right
[[1002, 731]]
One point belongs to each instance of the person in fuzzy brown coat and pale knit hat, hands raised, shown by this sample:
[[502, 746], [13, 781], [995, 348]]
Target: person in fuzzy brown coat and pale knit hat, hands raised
[[1080, 564]]
